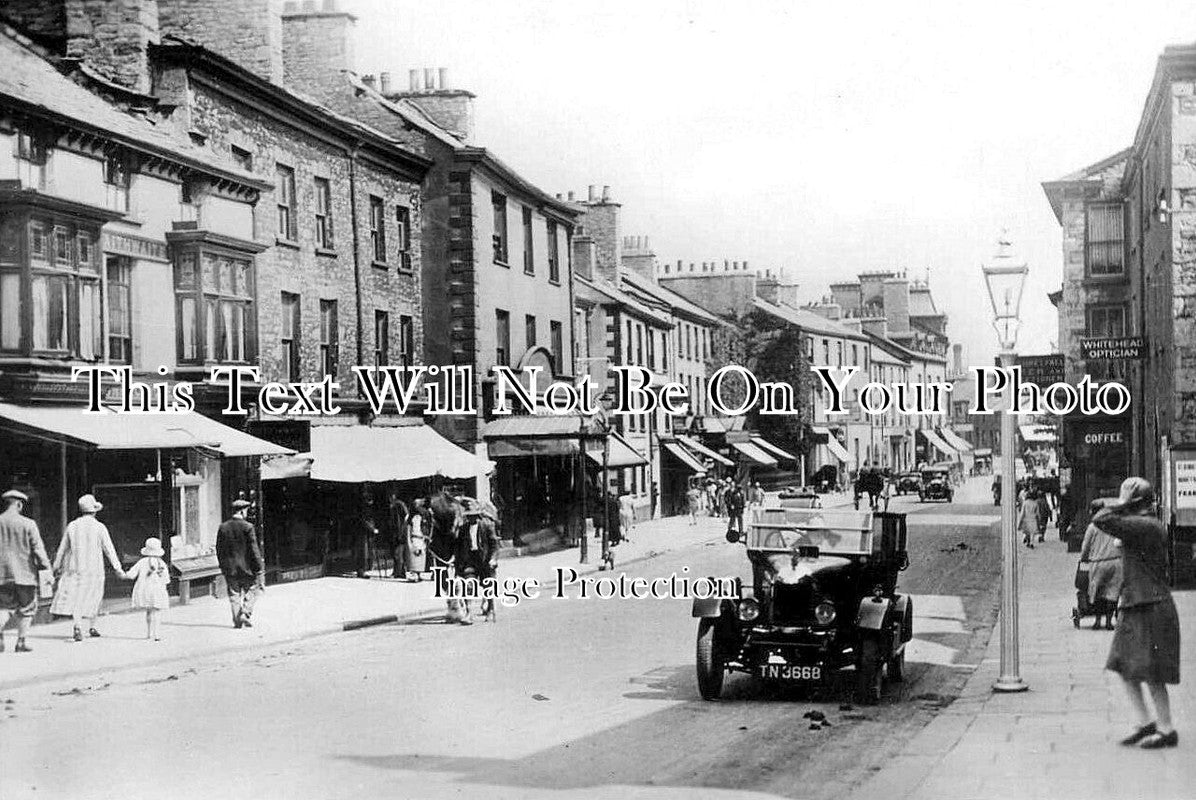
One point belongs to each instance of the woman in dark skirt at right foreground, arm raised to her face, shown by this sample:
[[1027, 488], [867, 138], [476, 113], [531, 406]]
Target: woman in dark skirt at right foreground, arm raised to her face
[[1146, 644]]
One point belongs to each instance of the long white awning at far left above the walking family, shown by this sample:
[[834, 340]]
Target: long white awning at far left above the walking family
[[113, 431]]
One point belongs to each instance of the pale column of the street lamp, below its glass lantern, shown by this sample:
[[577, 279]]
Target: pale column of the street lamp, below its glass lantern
[[1011, 676]]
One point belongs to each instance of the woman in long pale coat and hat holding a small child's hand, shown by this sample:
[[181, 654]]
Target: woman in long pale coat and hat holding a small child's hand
[[80, 566]]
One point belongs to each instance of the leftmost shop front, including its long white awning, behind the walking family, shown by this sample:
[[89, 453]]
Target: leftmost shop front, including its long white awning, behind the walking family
[[164, 475]]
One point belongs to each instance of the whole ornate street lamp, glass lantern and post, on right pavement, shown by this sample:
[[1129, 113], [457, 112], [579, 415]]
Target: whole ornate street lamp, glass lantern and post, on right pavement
[[1005, 279]]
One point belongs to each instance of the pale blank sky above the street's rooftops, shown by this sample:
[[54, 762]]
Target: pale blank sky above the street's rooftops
[[822, 139]]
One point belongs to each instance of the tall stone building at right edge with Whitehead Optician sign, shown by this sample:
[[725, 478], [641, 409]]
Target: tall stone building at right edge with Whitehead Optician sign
[[1130, 233]]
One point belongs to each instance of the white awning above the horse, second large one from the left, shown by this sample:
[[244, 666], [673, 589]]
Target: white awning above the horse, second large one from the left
[[364, 454]]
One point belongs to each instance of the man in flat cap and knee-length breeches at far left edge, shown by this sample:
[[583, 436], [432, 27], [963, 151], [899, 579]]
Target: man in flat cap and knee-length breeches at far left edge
[[22, 555]]
